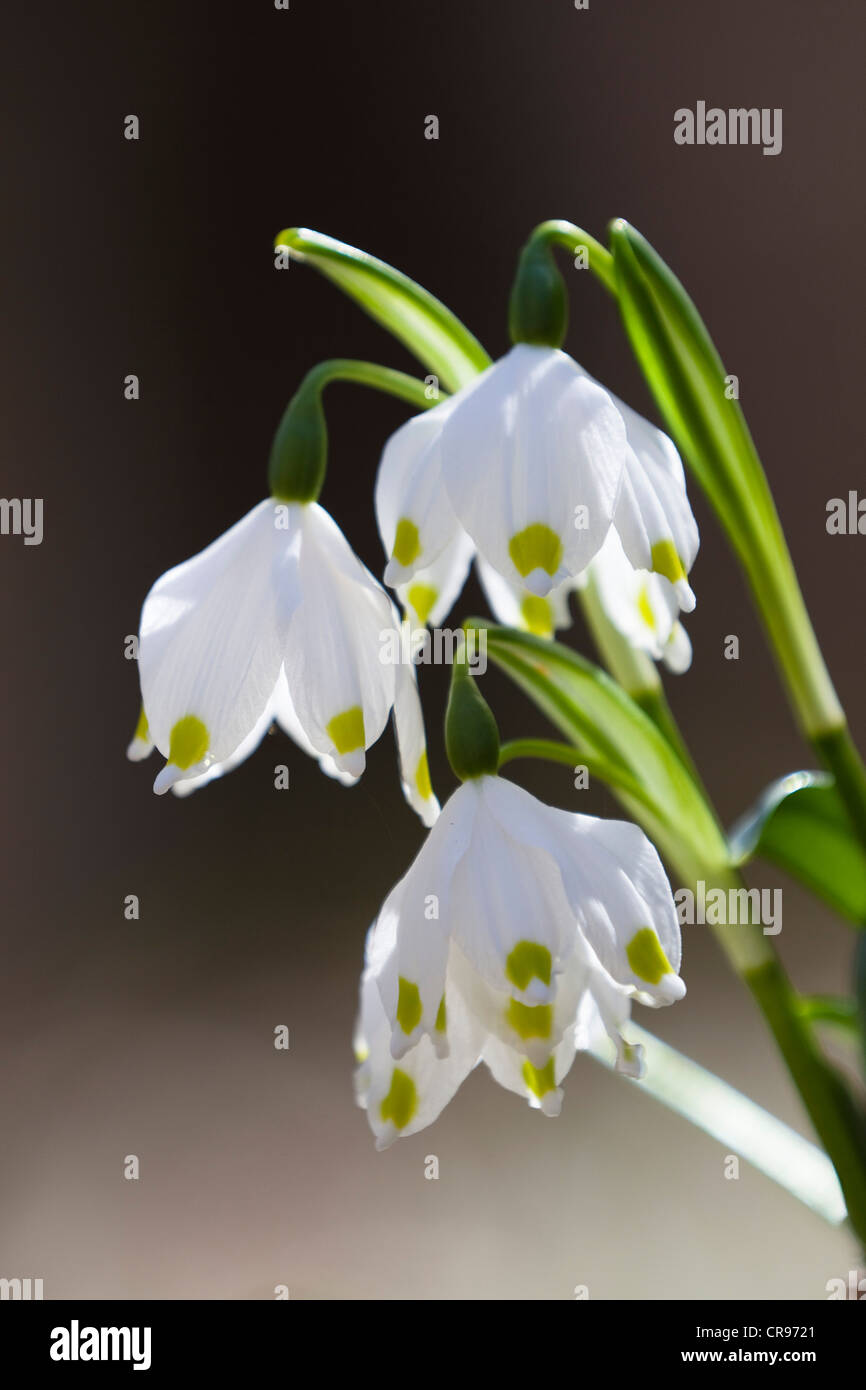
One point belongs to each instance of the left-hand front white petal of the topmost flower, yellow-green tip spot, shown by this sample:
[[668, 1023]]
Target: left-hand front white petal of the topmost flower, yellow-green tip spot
[[415, 516]]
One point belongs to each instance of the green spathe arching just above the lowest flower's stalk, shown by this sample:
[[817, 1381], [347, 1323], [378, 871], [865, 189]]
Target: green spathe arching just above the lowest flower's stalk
[[604, 722]]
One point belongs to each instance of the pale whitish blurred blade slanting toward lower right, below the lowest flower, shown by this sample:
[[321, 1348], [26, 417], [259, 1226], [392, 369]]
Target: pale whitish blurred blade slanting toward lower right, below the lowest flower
[[737, 1122]]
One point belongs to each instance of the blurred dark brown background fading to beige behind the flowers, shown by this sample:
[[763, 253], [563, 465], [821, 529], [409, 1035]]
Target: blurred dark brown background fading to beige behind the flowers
[[155, 258]]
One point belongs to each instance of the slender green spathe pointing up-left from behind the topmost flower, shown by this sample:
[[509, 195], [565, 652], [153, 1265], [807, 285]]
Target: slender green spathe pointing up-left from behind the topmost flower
[[426, 326]]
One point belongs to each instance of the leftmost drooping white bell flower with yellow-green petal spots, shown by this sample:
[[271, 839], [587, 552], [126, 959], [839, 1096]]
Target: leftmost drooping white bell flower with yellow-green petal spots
[[276, 621]]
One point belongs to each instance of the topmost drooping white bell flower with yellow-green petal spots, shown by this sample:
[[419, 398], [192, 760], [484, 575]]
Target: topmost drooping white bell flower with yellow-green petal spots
[[530, 468]]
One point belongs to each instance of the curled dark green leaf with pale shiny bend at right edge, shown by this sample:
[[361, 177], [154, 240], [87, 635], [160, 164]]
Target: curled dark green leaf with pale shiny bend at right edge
[[801, 825]]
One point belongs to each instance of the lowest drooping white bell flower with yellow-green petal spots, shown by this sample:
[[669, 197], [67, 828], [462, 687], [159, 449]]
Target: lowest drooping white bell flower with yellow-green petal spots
[[514, 933]]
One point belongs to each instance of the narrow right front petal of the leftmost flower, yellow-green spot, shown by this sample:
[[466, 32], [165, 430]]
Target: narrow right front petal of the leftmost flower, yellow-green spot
[[341, 689]]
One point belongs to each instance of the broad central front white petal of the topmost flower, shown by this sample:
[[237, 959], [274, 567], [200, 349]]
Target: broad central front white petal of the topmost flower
[[533, 459]]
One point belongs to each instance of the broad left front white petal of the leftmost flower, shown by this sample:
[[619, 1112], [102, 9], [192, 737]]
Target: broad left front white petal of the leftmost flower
[[212, 641]]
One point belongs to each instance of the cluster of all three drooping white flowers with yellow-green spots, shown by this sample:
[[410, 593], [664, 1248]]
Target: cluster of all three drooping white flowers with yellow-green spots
[[521, 932]]
